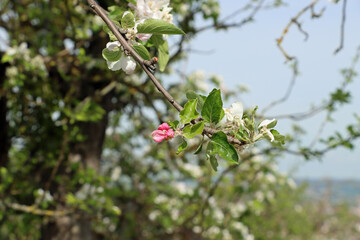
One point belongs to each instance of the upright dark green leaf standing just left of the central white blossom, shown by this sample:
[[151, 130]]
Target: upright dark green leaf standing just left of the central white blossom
[[213, 107]]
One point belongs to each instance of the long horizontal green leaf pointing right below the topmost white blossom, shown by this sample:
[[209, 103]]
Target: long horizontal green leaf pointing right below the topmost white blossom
[[157, 26]]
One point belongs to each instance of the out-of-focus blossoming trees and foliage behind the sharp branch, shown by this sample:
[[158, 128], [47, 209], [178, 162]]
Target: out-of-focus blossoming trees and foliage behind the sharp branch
[[77, 160]]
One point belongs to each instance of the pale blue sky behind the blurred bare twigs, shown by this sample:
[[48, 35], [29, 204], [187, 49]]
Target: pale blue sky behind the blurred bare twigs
[[249, 56]]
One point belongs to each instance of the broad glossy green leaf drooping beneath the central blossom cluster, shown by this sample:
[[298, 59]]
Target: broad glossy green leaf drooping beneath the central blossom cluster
[[222, 147]]
